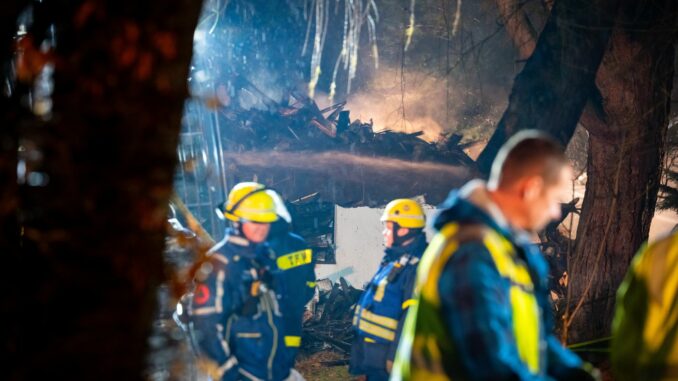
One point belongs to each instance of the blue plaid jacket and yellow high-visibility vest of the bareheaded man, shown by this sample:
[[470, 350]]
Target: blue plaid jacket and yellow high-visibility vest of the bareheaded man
[[482, 310]]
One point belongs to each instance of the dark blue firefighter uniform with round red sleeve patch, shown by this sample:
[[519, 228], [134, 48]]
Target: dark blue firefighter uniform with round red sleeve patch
[[237, 322]]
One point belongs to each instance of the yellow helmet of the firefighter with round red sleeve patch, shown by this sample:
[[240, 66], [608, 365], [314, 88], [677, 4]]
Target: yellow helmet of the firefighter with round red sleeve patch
[[250, 201]]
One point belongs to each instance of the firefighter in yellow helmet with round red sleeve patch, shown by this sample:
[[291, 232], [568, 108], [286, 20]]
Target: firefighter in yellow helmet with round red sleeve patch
[[238, 326]]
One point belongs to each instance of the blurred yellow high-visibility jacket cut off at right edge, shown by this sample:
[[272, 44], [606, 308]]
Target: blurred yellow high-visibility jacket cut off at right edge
[[645, 328]]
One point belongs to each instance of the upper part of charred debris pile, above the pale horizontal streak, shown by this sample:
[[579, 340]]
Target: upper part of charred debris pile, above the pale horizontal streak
[[300, 125]]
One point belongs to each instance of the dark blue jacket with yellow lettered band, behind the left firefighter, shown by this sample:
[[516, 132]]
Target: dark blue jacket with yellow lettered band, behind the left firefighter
[[295, 283]]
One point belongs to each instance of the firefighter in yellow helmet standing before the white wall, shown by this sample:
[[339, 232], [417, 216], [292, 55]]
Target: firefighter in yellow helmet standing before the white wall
[[381, 310]]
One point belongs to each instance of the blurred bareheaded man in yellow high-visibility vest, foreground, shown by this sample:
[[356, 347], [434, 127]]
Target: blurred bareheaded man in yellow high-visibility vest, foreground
[[483, 310]]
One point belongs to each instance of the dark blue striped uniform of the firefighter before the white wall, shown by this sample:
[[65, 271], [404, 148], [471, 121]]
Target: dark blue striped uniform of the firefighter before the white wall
[[381, 309]]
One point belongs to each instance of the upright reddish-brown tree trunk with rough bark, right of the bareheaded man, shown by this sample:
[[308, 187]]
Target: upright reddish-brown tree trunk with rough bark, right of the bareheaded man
[[625, 155]]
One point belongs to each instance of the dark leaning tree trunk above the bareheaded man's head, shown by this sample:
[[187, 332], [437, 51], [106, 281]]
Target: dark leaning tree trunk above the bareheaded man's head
[[558, 78]]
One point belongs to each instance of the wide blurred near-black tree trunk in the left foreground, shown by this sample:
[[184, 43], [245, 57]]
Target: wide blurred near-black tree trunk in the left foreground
[[93, 202]]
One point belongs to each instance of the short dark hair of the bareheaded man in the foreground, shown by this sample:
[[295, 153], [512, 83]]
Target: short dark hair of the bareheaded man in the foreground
[[527, 153]]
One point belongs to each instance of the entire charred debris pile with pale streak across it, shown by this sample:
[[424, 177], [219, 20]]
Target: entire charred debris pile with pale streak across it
[[299, 149]]
